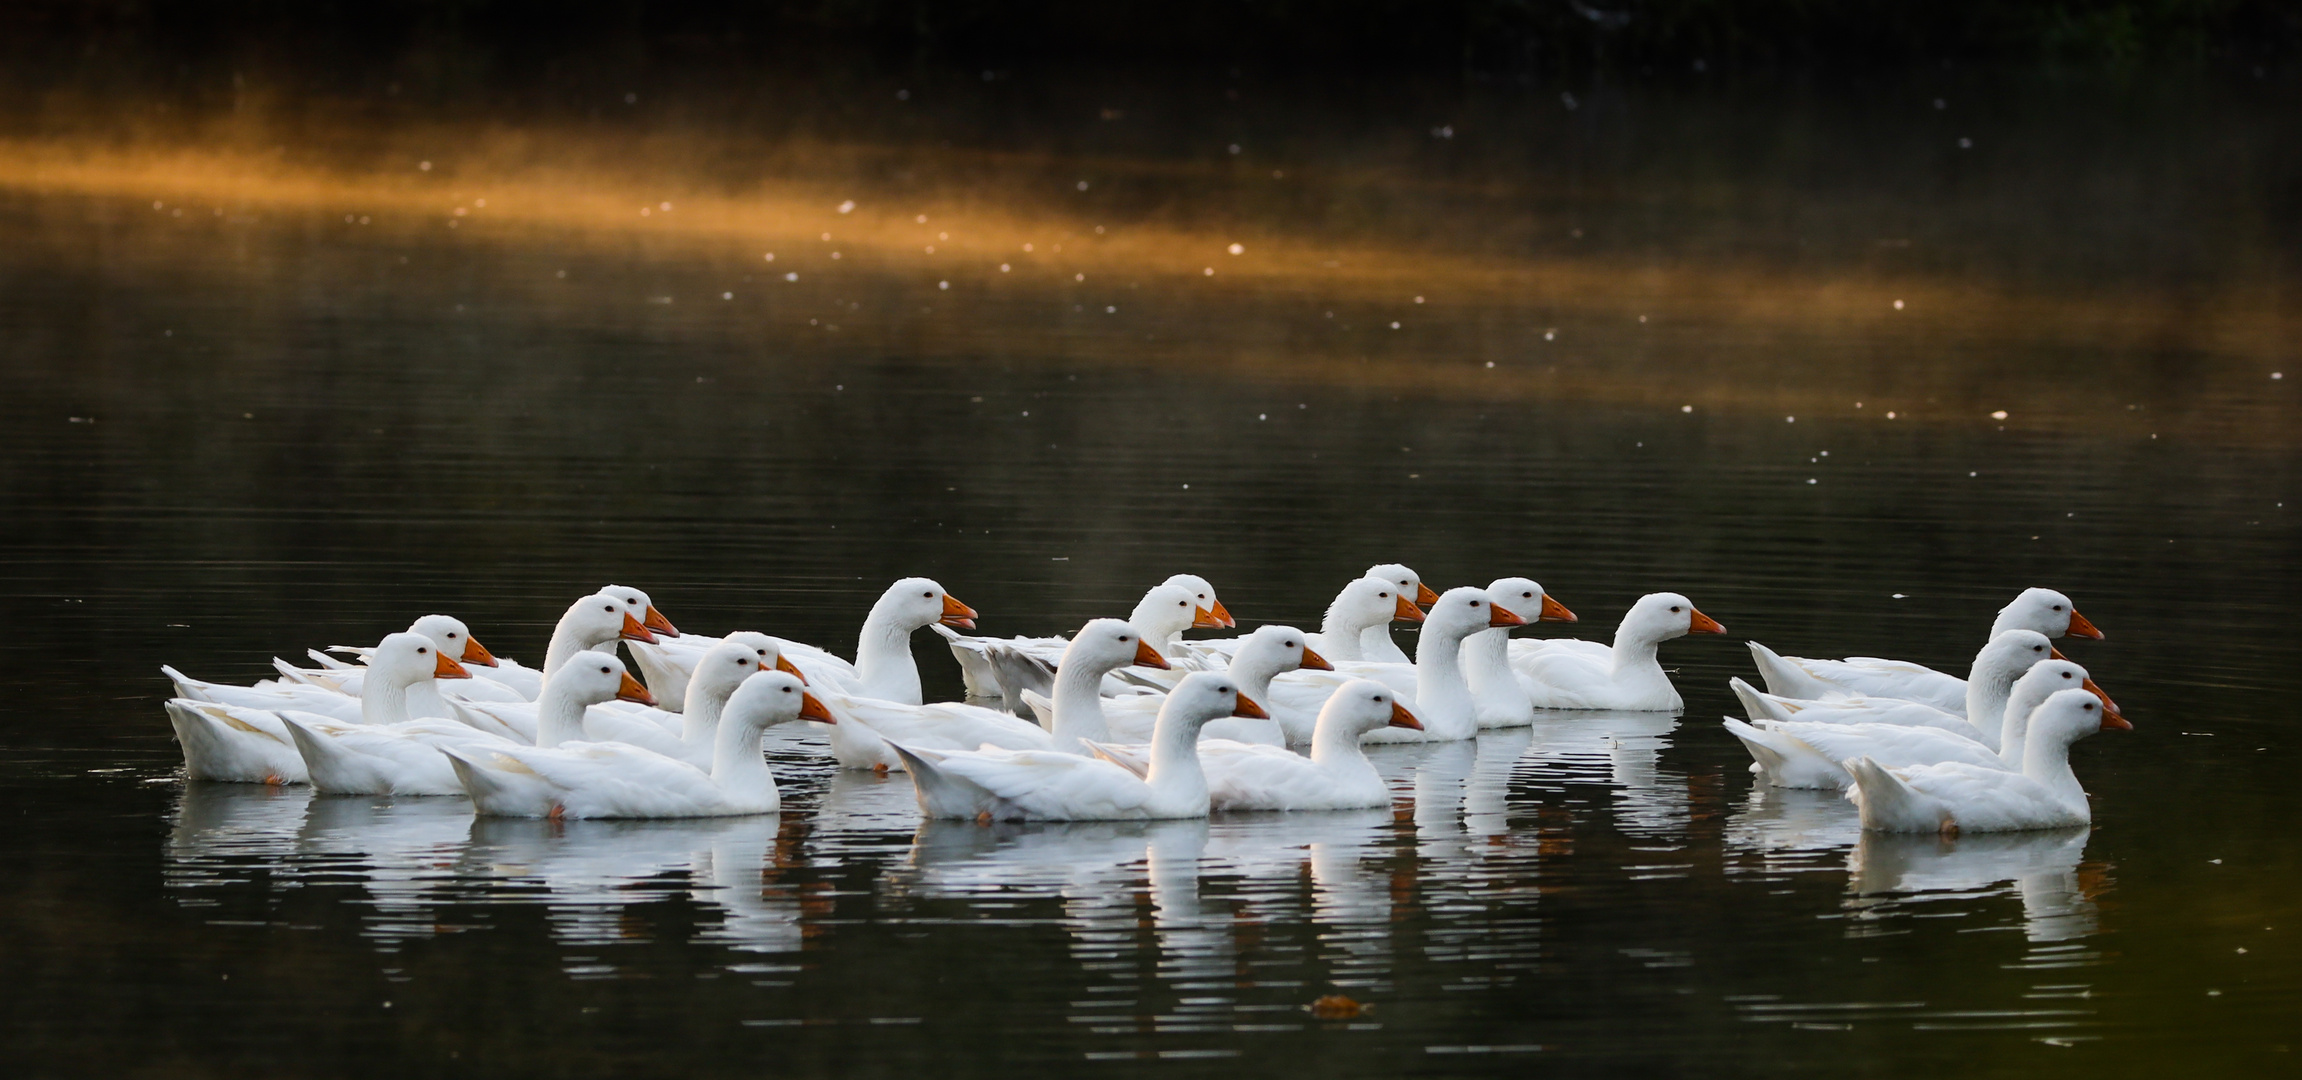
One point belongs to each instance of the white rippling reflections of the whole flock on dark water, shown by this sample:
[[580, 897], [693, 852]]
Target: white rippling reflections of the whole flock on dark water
[[1173, 929]]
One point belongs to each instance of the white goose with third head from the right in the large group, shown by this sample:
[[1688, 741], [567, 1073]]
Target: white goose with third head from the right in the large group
[[1433, 687]]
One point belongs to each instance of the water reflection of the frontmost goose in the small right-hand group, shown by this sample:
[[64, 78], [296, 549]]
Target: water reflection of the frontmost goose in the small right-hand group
[[2043, 867]]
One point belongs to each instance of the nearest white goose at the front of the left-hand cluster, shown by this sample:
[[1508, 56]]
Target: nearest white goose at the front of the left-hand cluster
[[602, 779]]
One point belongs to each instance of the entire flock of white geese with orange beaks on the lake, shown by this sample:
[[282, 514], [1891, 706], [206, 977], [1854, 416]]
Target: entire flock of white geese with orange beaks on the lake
[[1127, 720]]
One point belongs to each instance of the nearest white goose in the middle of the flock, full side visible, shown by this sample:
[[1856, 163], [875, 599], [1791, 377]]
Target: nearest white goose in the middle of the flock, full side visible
[[1069, 789]]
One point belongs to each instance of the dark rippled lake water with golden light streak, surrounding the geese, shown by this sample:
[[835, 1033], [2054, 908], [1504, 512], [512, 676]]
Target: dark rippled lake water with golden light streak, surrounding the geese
[[261, 411]]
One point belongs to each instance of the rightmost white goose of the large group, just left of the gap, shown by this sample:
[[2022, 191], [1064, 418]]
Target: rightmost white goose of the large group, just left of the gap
[[1569, 674]]
